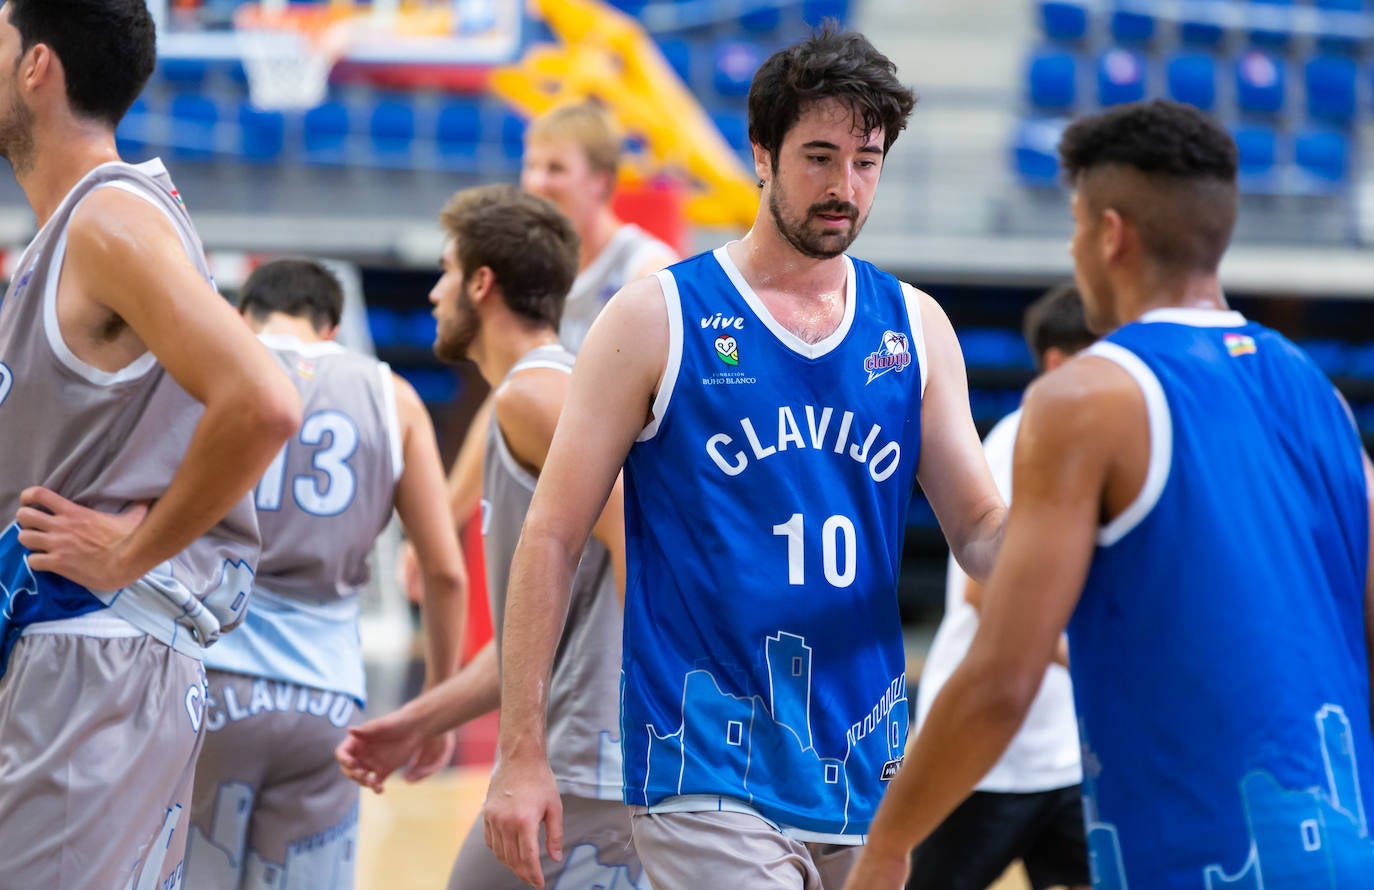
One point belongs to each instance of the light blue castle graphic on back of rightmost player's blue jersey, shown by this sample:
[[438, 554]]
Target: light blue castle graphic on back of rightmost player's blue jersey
[[1294, 830]]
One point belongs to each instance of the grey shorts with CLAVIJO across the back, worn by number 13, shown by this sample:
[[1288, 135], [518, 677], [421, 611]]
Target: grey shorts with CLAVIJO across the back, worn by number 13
[[271, 807]]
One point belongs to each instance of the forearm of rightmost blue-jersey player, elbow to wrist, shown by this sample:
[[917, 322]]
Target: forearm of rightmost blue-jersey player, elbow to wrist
[[971, 723]]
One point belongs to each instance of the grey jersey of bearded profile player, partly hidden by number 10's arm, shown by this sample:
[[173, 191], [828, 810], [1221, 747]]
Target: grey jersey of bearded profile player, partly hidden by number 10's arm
[[585, 694]]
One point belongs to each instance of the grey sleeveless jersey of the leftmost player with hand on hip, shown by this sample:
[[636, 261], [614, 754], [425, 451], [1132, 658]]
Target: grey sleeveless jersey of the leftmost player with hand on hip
[[105, 440]]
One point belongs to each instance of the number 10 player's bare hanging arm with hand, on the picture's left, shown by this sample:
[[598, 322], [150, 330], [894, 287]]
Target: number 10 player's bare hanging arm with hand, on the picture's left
[[609, 400]]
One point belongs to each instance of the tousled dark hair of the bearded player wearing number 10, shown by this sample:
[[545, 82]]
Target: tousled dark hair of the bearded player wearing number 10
[[829, 65]]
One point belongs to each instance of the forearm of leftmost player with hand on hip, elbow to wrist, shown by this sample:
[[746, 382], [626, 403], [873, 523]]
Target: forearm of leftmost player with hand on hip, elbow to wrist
[[233, 444]]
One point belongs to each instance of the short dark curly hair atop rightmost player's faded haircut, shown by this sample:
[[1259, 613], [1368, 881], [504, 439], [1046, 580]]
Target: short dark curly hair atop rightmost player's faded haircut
[[1158, 137]]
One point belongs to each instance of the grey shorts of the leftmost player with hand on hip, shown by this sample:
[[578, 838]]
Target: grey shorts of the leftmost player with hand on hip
[[98, 745]]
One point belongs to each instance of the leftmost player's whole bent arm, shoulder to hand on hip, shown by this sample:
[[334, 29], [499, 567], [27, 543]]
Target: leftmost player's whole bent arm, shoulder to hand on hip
[[127, 288]]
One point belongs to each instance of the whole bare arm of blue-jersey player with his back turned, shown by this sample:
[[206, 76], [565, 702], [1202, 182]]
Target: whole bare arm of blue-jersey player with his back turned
[[1082, 447]]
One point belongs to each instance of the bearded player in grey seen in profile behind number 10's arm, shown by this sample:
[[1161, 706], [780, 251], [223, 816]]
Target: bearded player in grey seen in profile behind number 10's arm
[[508, 266]]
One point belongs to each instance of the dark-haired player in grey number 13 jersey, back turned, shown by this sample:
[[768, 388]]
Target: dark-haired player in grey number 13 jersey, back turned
[[270, 799]]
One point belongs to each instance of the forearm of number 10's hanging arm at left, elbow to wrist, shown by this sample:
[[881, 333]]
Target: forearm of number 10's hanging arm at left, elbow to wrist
[[537, 609]]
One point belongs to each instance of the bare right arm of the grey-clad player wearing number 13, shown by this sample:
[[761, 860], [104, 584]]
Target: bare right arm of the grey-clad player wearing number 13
[[429, 527]]
